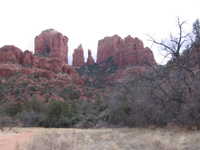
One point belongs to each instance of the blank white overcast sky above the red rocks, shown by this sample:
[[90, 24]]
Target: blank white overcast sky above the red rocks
[[87, 21]]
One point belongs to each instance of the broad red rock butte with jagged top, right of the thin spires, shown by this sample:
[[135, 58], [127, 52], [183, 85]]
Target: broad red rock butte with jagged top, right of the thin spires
[[128, 51]]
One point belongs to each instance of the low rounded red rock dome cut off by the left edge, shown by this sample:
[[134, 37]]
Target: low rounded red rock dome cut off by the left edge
[[10, 54]]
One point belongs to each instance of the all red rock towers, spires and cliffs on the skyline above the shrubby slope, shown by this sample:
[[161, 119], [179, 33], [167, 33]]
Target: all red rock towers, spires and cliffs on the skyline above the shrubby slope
[[51, 52]]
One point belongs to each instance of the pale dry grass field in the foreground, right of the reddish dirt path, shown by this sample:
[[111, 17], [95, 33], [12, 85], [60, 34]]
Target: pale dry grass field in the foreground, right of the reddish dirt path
[[114, 139]]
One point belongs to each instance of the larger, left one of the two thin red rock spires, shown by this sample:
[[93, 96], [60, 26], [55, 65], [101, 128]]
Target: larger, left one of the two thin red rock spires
[[78, 57]]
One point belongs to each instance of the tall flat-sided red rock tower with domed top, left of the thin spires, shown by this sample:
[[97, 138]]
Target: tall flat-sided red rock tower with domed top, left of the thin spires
[[53, 44]]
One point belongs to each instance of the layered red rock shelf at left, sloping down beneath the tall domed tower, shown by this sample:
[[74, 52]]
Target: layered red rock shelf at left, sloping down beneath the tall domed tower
[[13, 61]]
